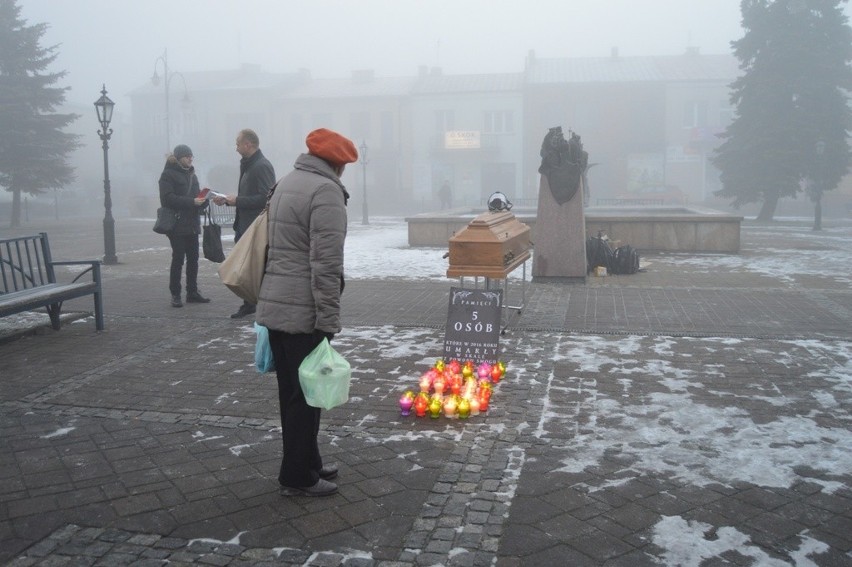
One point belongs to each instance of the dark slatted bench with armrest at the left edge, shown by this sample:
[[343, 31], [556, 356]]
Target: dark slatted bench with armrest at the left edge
[[29, 279]]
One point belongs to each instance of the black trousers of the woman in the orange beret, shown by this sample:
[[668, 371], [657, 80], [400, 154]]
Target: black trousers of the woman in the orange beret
[[301, 460]]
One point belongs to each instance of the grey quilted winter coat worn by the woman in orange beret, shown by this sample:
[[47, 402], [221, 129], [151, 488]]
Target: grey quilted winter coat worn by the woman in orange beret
[[304, 270]]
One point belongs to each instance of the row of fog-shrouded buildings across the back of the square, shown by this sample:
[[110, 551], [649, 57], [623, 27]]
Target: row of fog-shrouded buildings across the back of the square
[[648, 124]]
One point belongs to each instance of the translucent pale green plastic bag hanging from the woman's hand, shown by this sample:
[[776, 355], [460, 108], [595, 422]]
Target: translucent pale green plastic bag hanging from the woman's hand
[[325, 376]]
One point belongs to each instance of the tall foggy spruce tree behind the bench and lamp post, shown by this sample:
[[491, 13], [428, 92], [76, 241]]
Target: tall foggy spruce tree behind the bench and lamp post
[[33, 146]]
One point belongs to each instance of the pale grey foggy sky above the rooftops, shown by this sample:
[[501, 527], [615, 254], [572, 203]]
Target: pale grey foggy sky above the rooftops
[[118, 41]]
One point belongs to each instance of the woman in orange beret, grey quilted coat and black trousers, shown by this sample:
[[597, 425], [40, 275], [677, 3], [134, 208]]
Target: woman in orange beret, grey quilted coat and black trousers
[[300, 295]]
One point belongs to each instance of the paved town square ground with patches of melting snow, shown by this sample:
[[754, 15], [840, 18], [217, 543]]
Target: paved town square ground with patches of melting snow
[[676, 417]]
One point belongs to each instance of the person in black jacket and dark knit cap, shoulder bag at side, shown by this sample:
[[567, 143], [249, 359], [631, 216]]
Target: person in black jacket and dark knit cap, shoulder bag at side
[[179, 191]]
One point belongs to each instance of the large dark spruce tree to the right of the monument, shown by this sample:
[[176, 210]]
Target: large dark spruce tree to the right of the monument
[[792, 124]]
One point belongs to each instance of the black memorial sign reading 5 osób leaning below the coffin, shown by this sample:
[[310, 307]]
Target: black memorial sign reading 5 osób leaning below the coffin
[[473, 325]]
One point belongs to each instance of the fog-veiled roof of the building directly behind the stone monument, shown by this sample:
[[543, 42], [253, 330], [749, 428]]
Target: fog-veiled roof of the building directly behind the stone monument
[[688, 67]]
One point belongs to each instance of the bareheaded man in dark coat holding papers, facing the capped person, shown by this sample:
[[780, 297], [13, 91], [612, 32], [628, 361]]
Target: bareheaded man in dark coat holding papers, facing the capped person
[[257, 176]]
